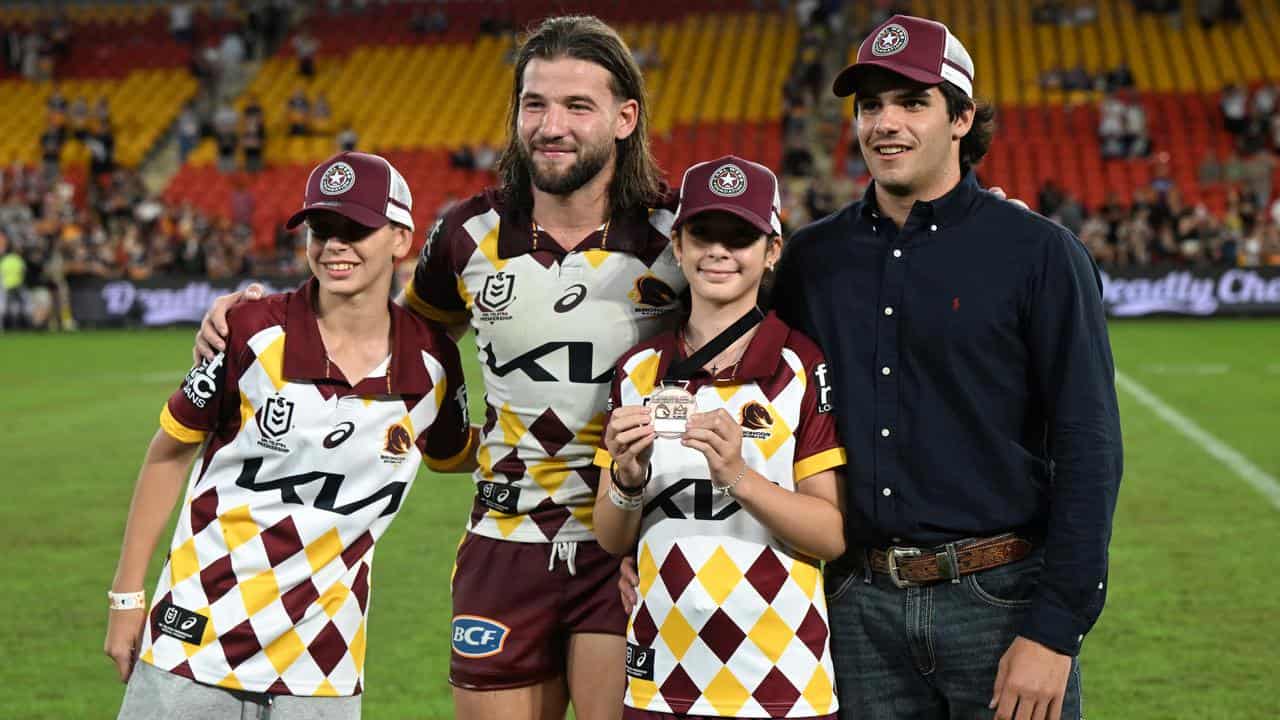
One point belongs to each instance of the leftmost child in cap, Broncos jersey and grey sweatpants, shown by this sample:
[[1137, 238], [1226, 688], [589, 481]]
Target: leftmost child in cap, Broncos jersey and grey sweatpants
[[310, 427]]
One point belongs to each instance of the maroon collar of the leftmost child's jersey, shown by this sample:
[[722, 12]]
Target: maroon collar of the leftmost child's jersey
[[307, 358]]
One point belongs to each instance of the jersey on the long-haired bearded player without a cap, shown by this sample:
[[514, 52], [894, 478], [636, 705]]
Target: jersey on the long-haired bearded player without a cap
[[550, 327]]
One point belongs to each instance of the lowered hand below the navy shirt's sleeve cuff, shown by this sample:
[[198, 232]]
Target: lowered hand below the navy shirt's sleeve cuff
[[1031, 681]]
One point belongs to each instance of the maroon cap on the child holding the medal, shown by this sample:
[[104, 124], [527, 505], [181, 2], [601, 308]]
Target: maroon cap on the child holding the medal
[[730, 184]]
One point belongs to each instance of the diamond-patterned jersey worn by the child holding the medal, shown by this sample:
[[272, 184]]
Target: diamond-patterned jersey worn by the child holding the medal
[[732, 622]]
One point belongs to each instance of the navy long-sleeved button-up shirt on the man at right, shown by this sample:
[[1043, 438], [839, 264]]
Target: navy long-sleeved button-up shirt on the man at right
[[973, 385]]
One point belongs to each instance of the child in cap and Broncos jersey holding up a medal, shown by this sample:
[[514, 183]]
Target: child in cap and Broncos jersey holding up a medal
[[733, 512]]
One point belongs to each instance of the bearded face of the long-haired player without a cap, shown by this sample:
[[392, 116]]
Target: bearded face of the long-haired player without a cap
[[569, 122]]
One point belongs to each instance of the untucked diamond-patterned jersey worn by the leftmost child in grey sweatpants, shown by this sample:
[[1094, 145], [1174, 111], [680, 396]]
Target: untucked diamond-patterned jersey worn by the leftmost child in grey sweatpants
[[268, 578]]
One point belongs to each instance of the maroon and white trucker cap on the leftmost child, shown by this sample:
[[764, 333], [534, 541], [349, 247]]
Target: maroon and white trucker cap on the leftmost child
[[363, 188]]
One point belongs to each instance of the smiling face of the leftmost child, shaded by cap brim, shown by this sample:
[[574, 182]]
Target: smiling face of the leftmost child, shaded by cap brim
[[350, 259]]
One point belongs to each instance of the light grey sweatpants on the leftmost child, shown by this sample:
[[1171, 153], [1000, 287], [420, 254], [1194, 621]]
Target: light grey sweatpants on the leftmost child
[[157, 695]]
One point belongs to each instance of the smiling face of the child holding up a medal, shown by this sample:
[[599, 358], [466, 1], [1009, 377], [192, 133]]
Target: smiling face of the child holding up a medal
[[724, 258]]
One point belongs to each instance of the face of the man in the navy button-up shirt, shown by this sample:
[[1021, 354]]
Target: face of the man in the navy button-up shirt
[[909, 142]]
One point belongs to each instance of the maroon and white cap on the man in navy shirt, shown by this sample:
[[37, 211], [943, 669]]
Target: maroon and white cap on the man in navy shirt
[[921, 49]]
